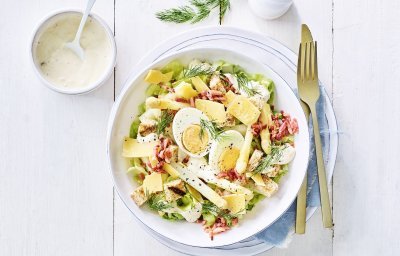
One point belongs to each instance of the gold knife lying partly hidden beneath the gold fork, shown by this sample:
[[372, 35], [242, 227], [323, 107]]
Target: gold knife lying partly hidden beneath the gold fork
[[302, 194]]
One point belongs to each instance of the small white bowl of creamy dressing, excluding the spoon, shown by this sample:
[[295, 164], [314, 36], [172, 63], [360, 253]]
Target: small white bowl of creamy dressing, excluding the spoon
[[58, 67]]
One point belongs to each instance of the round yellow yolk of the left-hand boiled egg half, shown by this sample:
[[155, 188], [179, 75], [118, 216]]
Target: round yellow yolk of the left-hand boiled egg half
[[193, 140]]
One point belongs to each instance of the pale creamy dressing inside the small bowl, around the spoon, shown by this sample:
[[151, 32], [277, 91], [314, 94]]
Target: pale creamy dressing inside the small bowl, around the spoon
[[60, 65]]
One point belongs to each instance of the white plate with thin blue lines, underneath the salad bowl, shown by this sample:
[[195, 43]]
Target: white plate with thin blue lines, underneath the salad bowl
[[273, 54]]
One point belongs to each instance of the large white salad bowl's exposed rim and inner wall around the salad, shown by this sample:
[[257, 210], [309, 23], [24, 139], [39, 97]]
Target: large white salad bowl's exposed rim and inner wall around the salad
[[264, 213]]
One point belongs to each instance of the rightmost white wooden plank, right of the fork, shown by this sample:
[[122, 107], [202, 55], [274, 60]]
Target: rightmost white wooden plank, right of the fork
[[366, 100]]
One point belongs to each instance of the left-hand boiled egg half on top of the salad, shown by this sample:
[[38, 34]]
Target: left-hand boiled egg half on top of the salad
[[188, 133]]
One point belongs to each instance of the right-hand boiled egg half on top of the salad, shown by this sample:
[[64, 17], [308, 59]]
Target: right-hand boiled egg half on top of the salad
[[225, 152]]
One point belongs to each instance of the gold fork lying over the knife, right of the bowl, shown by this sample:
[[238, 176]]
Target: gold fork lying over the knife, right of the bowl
[[309, 93]]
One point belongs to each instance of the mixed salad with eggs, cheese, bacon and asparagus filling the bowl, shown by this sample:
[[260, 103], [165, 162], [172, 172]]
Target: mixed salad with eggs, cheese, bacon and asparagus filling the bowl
[[208, 144]]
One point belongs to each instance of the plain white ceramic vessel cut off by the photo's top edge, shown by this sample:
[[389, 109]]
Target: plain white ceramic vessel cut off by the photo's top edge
[[270, 9]]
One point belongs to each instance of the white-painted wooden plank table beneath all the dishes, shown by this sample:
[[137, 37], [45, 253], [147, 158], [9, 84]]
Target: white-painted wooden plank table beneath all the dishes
[[56, 195]]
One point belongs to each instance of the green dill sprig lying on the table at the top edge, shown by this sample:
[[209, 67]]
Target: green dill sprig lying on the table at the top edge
[[196, 11]]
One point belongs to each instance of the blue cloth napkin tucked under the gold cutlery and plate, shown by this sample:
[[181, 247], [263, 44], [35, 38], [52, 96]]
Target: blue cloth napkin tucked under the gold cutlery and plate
[[280, 232]]
